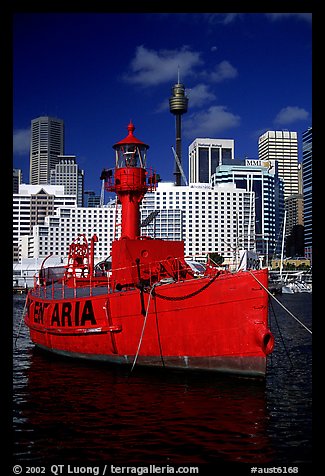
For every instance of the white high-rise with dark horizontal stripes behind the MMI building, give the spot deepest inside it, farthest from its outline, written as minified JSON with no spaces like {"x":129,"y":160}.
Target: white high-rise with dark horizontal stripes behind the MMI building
{"x":282,"y":146}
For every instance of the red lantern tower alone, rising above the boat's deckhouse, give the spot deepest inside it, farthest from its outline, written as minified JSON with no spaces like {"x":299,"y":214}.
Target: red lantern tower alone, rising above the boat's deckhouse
{"x":130,"y":181}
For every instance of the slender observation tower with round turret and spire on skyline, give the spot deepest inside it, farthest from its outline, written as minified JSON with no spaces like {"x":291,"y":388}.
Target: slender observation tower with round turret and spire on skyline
{"x":178,"y":106}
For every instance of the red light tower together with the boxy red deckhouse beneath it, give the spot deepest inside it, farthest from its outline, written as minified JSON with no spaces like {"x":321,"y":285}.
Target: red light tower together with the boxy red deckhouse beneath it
{"x":148,"y":257}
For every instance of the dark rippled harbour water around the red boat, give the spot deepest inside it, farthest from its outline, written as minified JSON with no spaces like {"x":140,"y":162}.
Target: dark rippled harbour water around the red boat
{"x":68,"y":411}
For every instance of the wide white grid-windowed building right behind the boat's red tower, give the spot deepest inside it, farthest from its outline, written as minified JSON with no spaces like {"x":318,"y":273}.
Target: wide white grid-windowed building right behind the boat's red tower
{"x":210,"y":219}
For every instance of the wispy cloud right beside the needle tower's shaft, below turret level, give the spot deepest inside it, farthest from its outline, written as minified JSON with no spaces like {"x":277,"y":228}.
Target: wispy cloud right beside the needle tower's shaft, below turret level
{"x":210,"y":123}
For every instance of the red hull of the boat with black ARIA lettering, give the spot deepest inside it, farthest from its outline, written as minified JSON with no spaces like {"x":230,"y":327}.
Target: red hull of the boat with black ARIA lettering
{"x":209,"y":323}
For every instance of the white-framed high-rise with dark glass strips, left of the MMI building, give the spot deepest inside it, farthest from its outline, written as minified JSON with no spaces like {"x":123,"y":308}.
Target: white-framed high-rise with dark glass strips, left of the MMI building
{"x":205,"y":155}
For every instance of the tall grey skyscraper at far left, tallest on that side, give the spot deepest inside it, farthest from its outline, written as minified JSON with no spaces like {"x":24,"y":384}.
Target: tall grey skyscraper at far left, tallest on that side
{"x":47,"y":142}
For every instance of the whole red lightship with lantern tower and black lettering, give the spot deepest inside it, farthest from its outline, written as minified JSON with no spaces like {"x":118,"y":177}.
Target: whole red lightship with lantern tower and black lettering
{"x":148,"y":307}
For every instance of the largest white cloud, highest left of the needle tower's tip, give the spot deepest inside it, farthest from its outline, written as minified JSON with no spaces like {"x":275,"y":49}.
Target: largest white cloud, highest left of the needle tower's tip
{"x":150,"y":67}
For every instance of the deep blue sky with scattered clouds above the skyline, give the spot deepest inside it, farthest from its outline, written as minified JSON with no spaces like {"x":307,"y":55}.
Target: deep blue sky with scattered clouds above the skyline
{"x":244,"y":73}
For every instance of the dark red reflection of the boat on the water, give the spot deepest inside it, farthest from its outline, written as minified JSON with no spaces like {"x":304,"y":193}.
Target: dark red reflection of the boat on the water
{"x":71,"y":411}
